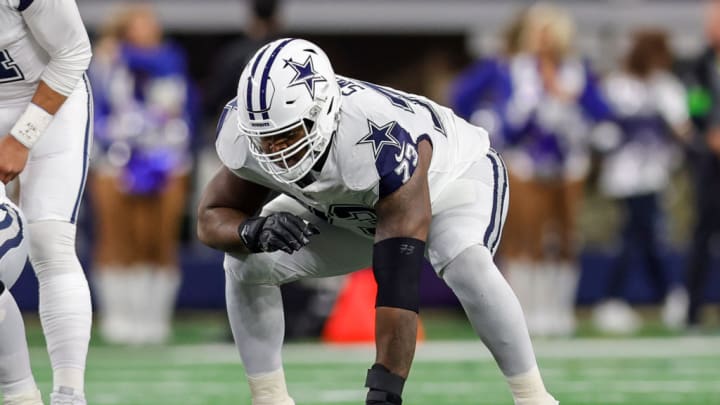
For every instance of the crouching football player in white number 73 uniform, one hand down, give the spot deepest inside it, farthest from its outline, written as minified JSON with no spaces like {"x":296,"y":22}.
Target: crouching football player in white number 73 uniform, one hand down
{"x":369,"y":176}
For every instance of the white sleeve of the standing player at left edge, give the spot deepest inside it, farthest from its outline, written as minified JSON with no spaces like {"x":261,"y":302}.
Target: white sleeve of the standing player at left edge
{"x":59,"y":30}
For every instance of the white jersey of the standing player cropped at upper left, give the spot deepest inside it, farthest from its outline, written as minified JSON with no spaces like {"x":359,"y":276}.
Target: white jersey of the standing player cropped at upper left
{"x":31,"y":32}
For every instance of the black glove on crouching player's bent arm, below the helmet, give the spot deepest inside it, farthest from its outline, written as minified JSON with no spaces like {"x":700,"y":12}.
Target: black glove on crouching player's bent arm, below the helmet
{"x":277,"y":231}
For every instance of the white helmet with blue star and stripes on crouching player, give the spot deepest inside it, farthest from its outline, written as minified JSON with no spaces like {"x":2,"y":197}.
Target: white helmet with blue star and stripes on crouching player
{"x":288,"y":107}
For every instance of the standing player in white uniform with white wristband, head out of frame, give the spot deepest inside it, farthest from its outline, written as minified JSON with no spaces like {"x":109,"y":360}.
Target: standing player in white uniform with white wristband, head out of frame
{"x":45,"y":129}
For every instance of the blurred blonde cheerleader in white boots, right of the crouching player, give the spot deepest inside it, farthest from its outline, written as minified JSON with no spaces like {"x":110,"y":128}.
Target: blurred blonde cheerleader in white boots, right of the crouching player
{"x":549,"y":116}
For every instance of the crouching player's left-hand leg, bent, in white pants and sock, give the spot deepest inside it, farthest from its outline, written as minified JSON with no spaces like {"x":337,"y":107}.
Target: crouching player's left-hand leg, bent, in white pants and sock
{"x":254,"y":302}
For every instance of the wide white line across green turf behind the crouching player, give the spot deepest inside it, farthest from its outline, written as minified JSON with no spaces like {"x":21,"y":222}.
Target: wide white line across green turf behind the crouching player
{"x":435,"y":351}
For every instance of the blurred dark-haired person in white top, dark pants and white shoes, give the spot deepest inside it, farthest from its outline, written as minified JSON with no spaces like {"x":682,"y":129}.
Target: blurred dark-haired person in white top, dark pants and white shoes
{"x":650,"y":106}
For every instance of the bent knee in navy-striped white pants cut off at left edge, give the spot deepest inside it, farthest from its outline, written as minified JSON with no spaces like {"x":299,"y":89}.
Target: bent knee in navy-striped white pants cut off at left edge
{"x":13,"y":244}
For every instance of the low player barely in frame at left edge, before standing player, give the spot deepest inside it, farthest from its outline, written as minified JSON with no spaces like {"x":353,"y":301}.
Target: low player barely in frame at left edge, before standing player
{"x":16,"y":381}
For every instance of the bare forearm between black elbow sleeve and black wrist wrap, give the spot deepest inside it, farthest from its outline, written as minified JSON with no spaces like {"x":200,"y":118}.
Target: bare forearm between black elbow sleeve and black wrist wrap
{"x":396,"y":335}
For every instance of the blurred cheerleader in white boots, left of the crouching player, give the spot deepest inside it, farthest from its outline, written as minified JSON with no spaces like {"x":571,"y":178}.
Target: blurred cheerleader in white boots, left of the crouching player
{"x":140,"y":175}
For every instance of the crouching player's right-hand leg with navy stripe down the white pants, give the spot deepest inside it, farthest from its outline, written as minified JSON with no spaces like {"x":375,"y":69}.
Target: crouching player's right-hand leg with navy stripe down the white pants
{"x":462,"y":241}
